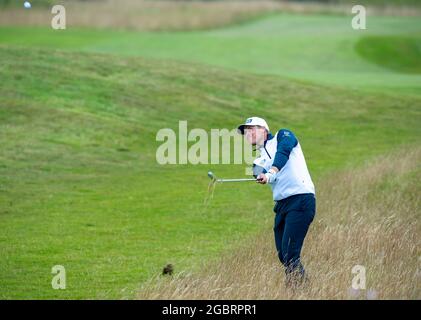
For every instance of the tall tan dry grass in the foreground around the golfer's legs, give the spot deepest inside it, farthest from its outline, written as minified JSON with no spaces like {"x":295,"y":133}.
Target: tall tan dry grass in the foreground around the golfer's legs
{"x":368,"y":216}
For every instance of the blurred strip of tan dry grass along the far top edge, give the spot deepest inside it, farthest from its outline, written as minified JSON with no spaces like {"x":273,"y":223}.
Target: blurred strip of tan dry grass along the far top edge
{"x":175,"y":15}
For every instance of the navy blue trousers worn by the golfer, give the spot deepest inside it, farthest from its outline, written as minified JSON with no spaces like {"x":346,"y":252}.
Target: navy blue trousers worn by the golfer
{"x":292,"y":220}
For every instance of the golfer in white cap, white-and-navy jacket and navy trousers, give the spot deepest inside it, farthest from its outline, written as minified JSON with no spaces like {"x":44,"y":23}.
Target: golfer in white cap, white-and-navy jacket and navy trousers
{"x":281,"y":164}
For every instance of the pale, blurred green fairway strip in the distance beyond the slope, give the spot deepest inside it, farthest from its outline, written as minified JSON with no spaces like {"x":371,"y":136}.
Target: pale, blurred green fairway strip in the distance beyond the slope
{"x":306,"y":47}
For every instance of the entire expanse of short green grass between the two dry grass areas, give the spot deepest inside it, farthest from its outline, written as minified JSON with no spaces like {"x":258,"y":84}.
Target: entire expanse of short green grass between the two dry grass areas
{"x":79,"y":183}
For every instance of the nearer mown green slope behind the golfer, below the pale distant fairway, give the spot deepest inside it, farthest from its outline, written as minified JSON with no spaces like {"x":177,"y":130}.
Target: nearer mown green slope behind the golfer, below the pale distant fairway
{"x":79,"y":183}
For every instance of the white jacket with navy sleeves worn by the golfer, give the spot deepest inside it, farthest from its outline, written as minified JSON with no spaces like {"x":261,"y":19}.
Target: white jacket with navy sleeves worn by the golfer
{"x":283,"y":151}
